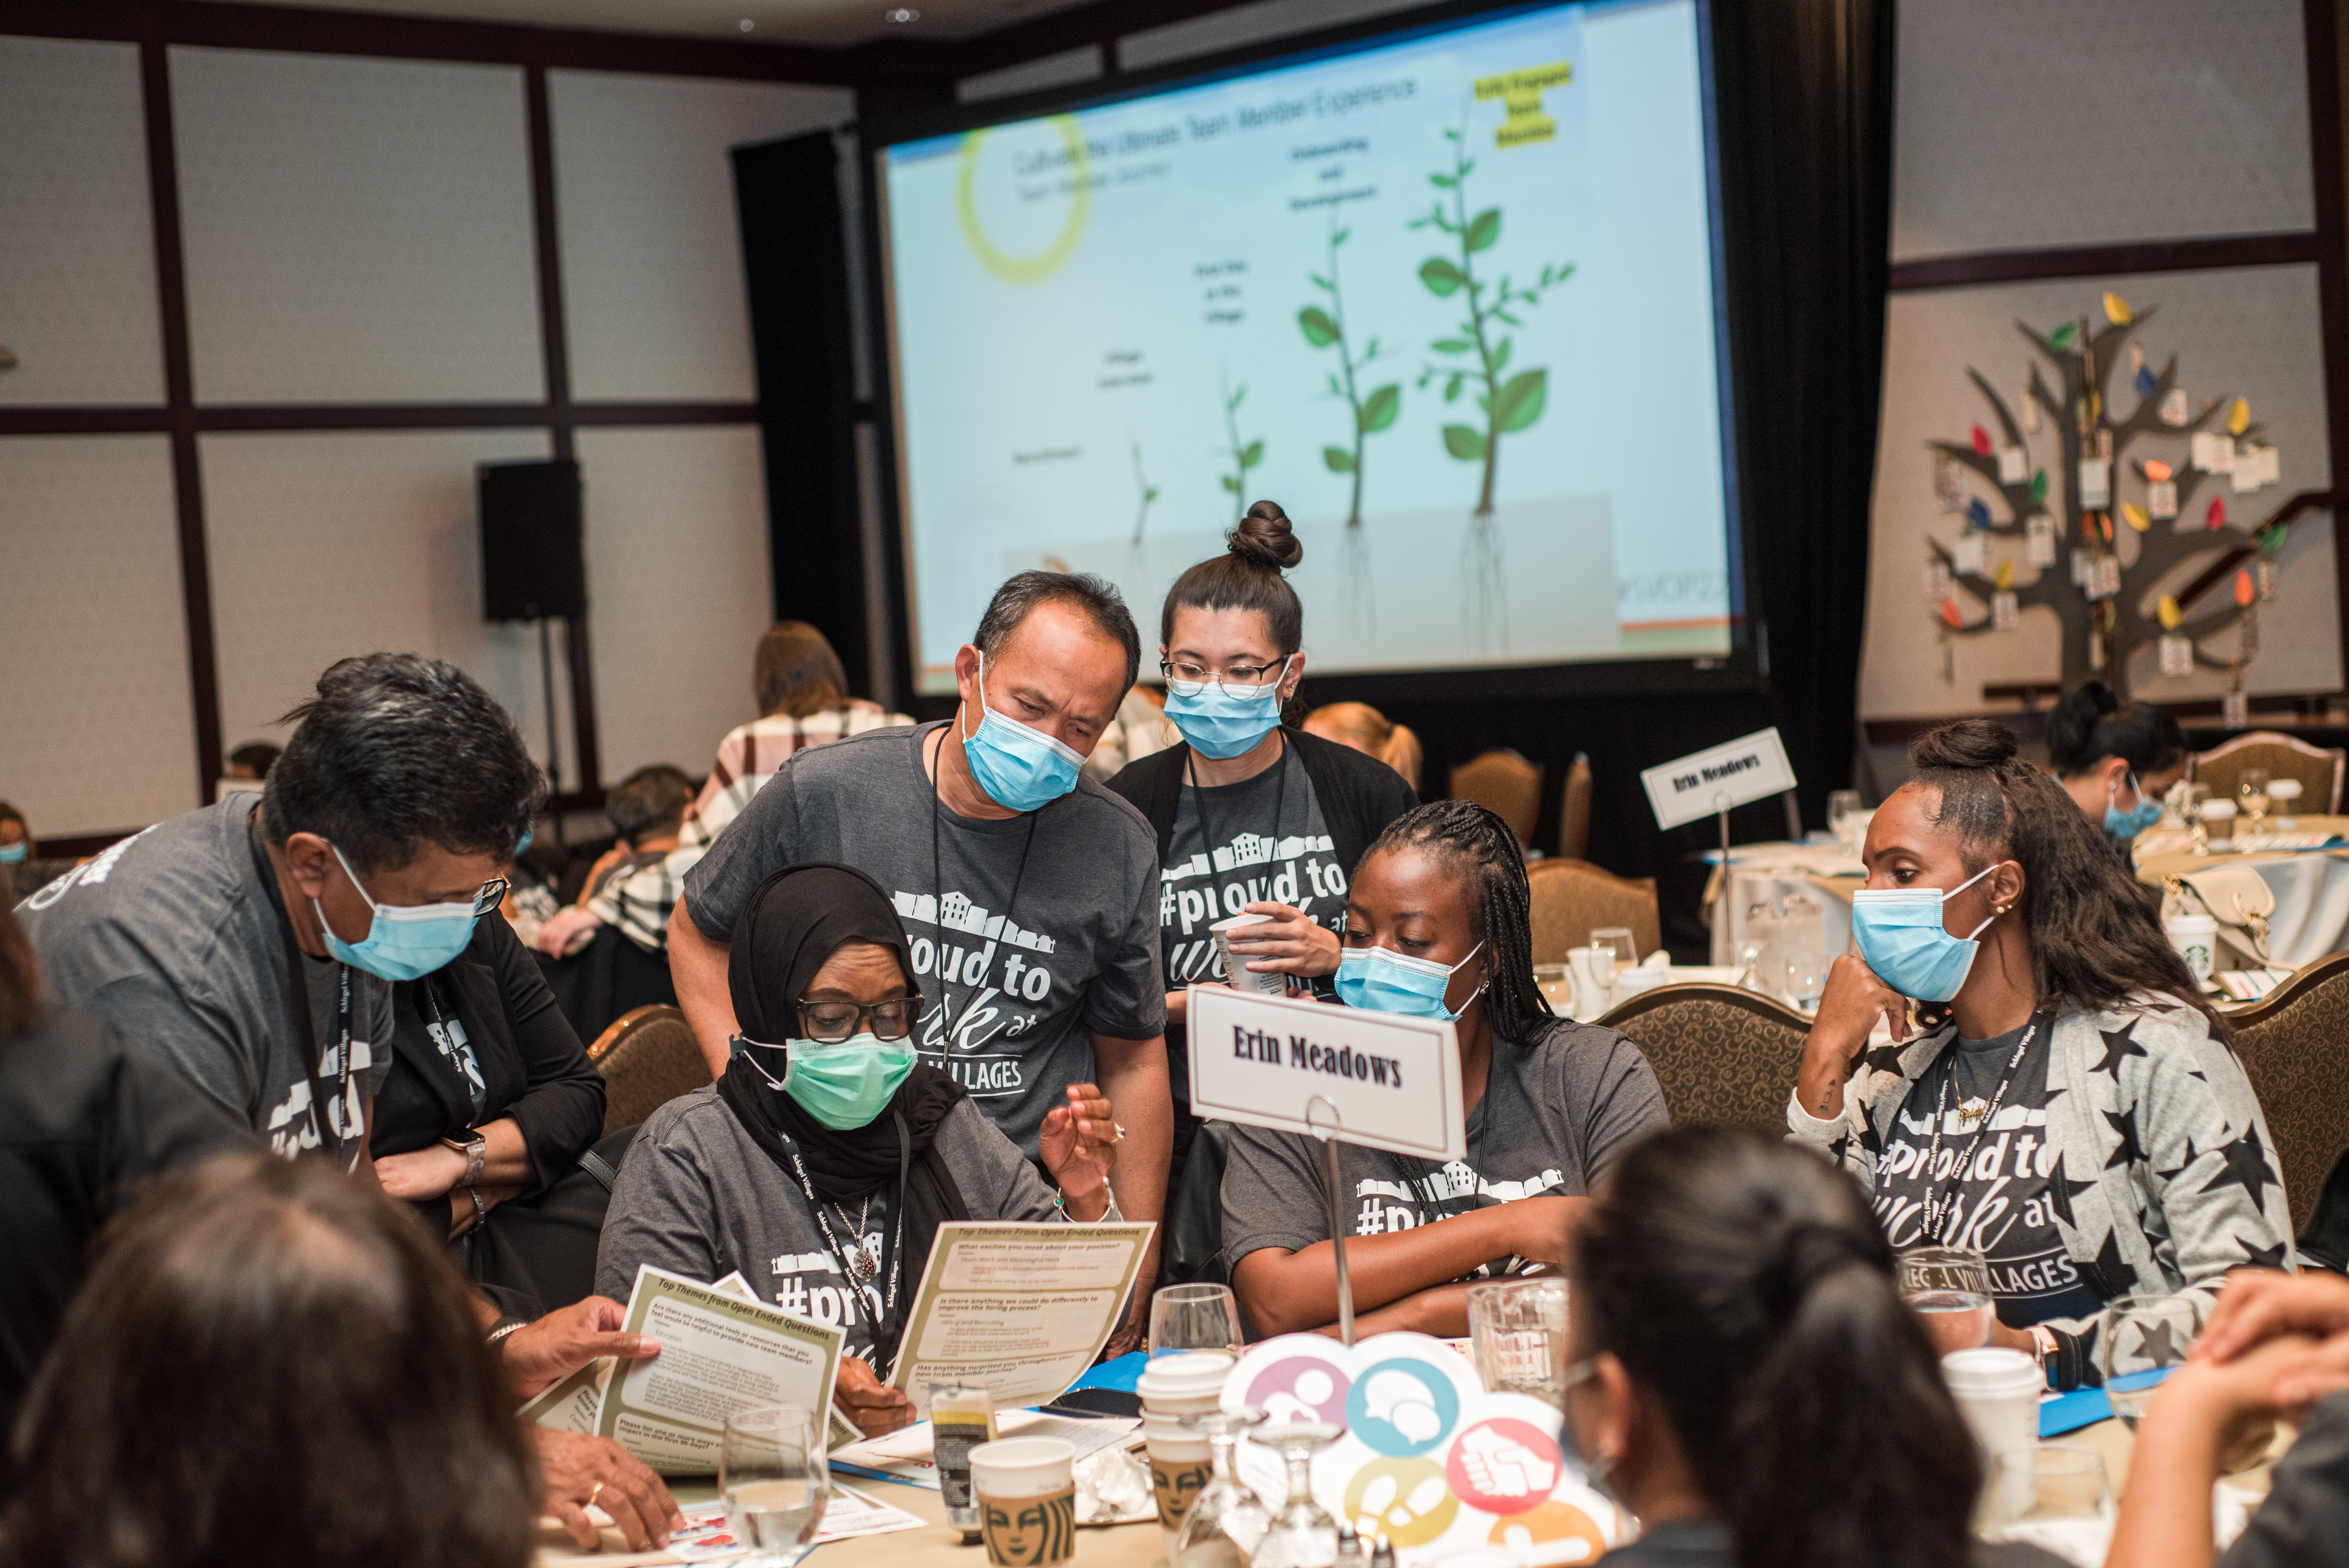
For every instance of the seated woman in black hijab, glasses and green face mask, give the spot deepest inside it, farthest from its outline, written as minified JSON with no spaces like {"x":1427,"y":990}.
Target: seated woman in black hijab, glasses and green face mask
{"x":823,"y":1163}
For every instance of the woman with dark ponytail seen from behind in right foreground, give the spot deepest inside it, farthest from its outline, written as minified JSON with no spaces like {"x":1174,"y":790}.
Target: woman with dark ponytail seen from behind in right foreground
{"x":1746,"y":1377}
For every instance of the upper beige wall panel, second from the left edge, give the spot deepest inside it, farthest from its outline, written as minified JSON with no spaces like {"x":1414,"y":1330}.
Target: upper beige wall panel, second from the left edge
{"x":358,"y":231}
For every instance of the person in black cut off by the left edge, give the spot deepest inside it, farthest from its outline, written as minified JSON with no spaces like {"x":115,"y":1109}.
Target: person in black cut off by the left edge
{"x":83,"y":1123}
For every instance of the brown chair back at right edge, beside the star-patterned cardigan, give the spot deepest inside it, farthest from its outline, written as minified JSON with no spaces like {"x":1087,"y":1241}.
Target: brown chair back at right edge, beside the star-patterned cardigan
{"x":2289,"y":1046}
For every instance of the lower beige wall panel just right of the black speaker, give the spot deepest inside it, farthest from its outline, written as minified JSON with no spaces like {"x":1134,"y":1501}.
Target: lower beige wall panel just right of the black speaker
{"x":678,"y":588}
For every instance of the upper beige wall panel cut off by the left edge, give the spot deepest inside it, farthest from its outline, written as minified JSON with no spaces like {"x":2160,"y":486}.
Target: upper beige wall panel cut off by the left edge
{"x":76,"y":241}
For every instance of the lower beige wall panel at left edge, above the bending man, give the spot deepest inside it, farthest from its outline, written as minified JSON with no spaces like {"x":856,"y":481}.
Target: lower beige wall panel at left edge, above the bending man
{"x":97,"y":729}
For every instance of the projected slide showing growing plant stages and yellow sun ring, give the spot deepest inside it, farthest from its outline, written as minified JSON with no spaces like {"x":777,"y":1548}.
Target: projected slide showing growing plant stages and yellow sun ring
{"x":1451,"y":299}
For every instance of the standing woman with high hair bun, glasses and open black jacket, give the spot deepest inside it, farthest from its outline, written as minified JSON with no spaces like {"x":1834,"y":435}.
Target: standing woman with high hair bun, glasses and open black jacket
{"x":1253,"y":818}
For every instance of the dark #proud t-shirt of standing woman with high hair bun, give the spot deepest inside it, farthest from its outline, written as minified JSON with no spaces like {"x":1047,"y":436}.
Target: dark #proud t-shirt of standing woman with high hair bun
{"x":1265,"y":839}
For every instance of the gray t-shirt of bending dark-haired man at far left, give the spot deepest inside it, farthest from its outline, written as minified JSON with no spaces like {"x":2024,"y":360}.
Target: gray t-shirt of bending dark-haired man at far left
{"x":177,"y":942}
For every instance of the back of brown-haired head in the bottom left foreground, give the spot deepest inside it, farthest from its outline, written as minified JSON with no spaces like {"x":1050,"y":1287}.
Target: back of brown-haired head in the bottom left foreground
{"x":271,"y":1365}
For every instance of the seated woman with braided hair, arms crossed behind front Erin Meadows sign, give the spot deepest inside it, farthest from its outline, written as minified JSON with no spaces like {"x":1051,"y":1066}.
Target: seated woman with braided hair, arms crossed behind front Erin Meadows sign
{"x":1439,"y":926}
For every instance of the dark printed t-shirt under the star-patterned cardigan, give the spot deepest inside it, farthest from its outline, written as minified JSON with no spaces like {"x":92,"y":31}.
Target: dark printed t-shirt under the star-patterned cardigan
{"x":2003,"y":1205}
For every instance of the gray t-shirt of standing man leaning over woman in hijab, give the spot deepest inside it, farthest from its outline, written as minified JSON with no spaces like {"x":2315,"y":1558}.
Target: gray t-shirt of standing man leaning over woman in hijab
{"x":1016,"y":985}
